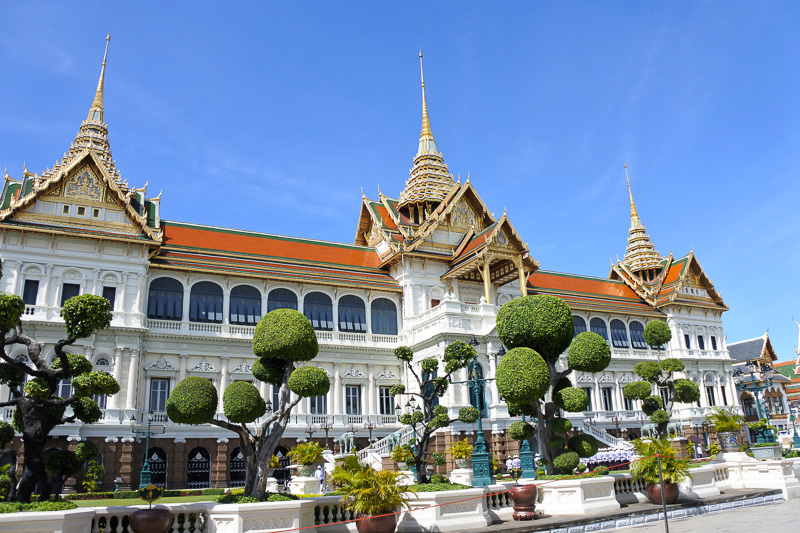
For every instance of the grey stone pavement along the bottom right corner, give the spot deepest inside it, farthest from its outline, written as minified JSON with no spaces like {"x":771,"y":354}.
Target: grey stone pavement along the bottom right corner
{"x":685,"y":515}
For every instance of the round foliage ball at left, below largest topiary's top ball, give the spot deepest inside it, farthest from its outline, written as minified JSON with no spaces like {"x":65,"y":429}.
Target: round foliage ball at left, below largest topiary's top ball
{"x":522,"y":376}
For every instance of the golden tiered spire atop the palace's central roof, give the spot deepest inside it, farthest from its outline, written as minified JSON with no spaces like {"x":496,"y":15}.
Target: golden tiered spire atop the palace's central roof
{"x":429,"y":179}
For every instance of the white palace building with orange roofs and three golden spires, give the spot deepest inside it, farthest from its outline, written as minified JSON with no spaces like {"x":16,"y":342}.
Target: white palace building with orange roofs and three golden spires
{"x":425,"y":269}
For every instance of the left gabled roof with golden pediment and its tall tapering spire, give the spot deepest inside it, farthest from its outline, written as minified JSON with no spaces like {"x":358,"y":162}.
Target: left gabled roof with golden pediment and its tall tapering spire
{"x":85,"y":175}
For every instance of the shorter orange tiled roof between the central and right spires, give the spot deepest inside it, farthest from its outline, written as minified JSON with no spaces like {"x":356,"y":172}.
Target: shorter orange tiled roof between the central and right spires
{"x":591,"y":294}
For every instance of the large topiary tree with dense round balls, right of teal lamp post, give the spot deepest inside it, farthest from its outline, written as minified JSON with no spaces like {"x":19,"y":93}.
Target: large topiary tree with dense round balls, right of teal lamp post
{"x":538,"y":329}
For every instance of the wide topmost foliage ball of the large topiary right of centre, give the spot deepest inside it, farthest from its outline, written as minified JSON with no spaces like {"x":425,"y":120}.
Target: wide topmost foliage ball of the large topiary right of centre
{"x":542,"y":323}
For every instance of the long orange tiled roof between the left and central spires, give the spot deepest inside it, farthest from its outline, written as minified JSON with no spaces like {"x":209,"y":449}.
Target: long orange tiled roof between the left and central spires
{"x":196,"y":248}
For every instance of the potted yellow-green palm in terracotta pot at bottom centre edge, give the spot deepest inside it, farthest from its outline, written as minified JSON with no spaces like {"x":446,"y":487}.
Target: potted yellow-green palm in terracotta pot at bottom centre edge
{"x":372,"y":496}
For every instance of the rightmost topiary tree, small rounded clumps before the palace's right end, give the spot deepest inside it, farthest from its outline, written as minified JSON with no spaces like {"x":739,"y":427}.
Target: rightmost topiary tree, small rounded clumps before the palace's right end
{"x":662,"y":375}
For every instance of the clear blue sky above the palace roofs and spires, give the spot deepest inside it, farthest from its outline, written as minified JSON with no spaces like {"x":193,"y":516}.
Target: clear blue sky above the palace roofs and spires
{"x":273,"y":116}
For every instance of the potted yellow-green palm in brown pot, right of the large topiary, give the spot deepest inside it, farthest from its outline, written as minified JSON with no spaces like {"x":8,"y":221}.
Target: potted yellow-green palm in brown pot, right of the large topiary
{"x":673,"y":468}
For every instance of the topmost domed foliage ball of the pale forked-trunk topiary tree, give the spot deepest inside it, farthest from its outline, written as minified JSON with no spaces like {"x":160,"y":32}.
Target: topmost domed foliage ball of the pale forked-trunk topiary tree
{"x":285,"y":334}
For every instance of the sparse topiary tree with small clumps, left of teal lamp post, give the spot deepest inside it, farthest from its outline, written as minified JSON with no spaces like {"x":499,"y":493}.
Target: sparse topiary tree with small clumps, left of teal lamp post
{"x":430,"y":386}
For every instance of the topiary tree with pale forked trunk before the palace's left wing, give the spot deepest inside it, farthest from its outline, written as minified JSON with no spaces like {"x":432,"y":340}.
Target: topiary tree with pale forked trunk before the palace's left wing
{"x":282,"y":339}
